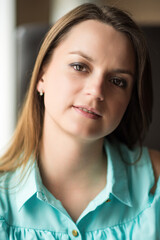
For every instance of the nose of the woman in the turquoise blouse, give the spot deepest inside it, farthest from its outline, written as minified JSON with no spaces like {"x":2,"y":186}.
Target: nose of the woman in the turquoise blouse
{"x":95,"y":88}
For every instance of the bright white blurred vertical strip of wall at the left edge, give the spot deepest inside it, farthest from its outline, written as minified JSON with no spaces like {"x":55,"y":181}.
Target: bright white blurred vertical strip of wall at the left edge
{"x":7,"y":71}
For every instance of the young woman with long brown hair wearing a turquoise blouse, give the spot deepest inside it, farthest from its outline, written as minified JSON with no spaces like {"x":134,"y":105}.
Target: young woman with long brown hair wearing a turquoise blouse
{"x":76,"y":168}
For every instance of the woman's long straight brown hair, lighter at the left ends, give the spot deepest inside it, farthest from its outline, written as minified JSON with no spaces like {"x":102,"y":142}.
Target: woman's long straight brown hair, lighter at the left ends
{"x":137,"y":118}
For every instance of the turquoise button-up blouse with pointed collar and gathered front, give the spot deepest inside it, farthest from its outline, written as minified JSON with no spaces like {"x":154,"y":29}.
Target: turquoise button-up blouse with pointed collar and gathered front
{"x":125,"y":209}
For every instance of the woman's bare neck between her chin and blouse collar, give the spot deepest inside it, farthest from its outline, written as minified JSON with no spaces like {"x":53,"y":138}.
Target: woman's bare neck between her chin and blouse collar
{"x":65,"y":159}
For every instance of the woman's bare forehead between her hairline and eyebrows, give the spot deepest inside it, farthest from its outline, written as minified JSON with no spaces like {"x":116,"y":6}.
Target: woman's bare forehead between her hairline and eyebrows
{"x":95,"y":33}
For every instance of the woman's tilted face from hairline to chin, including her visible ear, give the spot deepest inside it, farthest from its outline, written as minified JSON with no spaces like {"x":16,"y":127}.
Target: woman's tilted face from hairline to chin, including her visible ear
{"x":88,"y":83}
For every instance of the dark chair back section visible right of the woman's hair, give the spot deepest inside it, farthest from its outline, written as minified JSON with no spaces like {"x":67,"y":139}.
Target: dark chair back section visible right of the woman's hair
{"x":152,"y":34}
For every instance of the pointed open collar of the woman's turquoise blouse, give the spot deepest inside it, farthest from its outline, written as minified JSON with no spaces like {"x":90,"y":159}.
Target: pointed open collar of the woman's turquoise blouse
{"x":116,"y":182}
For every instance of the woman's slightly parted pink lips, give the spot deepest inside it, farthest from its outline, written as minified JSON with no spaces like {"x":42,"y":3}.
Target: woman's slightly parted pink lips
{"x":88,"y":112}
